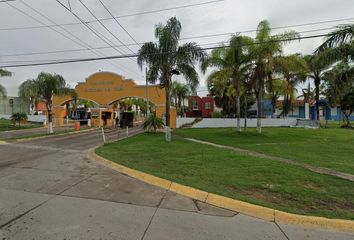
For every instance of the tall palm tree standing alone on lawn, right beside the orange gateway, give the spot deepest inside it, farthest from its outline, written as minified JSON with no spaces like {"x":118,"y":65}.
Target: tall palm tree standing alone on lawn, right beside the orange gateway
{"x":166,"y":58}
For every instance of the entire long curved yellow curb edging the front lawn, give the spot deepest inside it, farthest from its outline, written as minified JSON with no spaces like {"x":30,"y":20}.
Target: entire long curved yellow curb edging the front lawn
{"x":249,"y":209}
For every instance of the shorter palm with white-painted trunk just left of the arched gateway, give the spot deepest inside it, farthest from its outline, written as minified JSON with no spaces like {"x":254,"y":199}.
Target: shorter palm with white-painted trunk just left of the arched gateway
{"x":49,"y":85}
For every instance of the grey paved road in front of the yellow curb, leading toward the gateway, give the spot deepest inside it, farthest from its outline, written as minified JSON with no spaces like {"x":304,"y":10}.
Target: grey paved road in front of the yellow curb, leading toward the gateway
{"x":49,"y":189}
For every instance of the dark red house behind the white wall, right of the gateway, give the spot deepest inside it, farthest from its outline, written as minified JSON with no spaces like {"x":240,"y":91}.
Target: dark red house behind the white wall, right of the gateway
{"x":200,"y":106}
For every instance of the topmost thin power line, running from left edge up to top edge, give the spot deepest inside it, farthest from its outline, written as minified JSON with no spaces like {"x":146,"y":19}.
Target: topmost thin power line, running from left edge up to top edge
{"x":121,"y":16}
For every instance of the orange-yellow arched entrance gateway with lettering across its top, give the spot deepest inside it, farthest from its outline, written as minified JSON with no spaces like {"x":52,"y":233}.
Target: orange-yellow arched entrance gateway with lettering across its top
{"x":105,"y":88}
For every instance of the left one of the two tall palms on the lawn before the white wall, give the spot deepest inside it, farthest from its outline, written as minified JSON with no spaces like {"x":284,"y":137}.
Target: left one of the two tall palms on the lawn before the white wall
{"x":234,"y":62}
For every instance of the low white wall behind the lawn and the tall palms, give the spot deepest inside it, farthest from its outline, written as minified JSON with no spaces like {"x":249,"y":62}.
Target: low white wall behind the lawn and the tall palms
{"x":231,"y":122}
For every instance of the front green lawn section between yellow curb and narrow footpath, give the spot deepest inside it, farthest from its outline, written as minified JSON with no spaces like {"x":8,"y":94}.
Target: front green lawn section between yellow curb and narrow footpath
{"x":260,"y":181}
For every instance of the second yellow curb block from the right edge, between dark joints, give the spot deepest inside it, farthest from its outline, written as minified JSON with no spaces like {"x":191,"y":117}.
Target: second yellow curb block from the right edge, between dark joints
{"x":241,"y":207}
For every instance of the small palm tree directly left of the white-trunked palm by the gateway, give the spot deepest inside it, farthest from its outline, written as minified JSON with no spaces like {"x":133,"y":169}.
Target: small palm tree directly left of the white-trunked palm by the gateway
{"x":28,"y":91}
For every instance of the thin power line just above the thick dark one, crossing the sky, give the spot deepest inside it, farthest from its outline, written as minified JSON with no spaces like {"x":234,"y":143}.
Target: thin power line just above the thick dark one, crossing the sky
{"x":133,"y":44}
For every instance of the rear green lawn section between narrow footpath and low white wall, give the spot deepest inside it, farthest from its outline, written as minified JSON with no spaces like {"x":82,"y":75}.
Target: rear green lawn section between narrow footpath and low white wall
{"x":325,"y":147}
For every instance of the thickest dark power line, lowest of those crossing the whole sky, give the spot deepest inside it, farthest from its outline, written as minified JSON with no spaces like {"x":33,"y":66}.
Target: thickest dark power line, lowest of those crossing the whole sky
{"x":136,"y":55}
